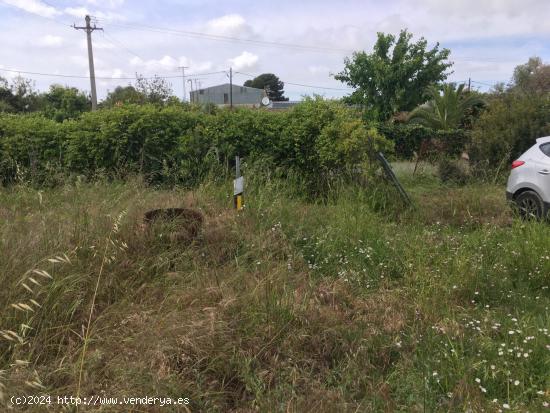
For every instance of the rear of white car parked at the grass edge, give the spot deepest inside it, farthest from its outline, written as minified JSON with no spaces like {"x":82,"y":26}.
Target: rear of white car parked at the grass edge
{"x":529,"y":182}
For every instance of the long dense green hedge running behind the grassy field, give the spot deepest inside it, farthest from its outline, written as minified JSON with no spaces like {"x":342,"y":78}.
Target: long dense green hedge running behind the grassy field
{"x":315,"y":139}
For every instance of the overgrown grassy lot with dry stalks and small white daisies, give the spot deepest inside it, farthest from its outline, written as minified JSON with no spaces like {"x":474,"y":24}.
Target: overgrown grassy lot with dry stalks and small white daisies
{"x":350,"y":305}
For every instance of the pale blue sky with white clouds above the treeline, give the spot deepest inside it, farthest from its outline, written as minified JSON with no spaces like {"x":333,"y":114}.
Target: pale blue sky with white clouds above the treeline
{"x":303,"y":42}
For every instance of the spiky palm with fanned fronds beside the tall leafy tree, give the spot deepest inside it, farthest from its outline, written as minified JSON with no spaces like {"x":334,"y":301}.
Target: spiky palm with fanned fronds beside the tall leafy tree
{"x":446,"y":109}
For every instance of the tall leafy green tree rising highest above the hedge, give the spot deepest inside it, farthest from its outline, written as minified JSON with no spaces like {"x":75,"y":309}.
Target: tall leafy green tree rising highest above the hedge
{"x":395,"y":75}
